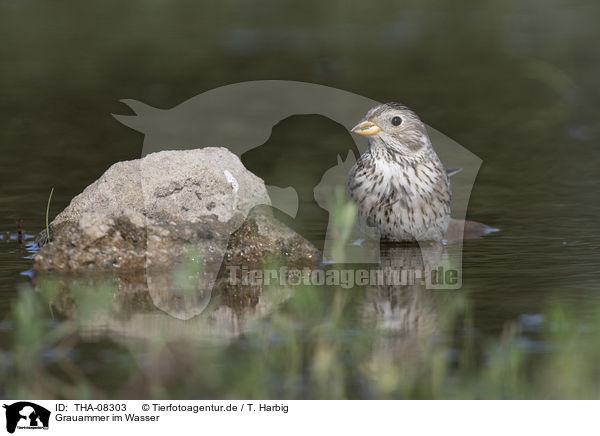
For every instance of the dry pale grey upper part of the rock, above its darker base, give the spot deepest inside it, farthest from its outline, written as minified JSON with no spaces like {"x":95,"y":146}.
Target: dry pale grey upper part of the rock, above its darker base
{"x":174,"y":185}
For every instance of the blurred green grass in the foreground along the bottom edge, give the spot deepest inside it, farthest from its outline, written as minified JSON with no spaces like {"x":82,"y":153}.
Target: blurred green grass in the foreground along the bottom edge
{"x":310,"y":347}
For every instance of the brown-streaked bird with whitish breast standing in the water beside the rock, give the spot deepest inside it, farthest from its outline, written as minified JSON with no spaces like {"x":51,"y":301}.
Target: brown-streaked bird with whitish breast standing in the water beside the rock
{"x":399,"y":184}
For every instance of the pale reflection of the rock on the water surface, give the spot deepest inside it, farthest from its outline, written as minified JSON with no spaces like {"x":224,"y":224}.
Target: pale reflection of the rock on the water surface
{"x":134,"y":308}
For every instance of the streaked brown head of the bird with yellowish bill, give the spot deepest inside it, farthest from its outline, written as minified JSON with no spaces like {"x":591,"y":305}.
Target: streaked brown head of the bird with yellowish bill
{"x":396,"y":127}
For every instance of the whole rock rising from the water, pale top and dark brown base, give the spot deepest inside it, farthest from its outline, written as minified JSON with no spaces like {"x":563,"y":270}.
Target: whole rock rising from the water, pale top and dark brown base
{"x":151,"y":213}
